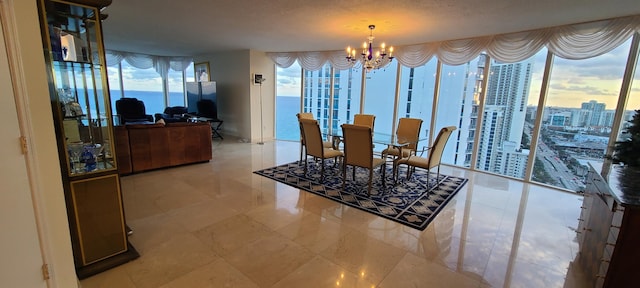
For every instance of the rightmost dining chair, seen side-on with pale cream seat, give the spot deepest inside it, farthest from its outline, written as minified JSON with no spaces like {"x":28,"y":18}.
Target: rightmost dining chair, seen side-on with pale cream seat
{"x":432,"y":160}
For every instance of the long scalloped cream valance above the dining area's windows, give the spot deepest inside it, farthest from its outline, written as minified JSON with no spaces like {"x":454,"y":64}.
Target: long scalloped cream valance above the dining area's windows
{"x":577,"y":41}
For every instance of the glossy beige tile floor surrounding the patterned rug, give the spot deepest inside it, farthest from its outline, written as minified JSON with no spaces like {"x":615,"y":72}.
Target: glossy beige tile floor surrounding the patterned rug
{"x":217,"y":224}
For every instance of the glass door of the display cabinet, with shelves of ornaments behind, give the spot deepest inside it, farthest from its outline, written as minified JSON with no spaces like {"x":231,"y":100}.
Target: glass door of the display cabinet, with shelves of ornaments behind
{"x":81,"y":91}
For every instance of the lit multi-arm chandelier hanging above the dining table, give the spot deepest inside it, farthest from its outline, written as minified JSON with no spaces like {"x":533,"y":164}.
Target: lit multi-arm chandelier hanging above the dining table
{"x":370,"y":61}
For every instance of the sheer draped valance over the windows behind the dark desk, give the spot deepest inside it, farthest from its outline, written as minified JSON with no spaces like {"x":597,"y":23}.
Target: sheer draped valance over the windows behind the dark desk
{"x":142,"y":61}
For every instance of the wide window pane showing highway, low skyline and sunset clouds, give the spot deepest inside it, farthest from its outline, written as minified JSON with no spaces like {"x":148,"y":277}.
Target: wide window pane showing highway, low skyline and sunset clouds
{"x":578,"y":117}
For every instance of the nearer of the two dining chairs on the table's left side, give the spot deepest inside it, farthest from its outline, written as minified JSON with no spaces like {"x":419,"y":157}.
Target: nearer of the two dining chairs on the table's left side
{"x":313,"y":145}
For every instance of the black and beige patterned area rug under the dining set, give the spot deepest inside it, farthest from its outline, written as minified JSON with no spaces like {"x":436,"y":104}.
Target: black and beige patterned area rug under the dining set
{"x":414,"y":202}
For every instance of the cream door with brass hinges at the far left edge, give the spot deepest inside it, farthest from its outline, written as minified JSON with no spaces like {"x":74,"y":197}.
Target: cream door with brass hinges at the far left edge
{"x":18,"y":268}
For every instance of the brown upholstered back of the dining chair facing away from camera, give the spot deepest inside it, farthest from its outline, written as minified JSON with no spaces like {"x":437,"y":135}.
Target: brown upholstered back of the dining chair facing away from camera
{"x":358,"y":145}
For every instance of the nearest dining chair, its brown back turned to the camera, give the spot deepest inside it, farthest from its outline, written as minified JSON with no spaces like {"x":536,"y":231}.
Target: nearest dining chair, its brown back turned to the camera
{"x":358,"y":152}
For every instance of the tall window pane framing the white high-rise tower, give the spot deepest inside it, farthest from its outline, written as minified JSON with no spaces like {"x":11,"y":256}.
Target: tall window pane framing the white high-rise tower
{"x":506,"y":126}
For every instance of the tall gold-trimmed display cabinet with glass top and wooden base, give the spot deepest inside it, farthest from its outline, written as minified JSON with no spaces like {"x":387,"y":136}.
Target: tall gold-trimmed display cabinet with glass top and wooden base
{"x":80,"y":101}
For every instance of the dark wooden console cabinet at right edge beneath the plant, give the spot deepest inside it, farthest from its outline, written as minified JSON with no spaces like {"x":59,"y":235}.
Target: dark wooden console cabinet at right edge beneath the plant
{"x":608,"y":233}
